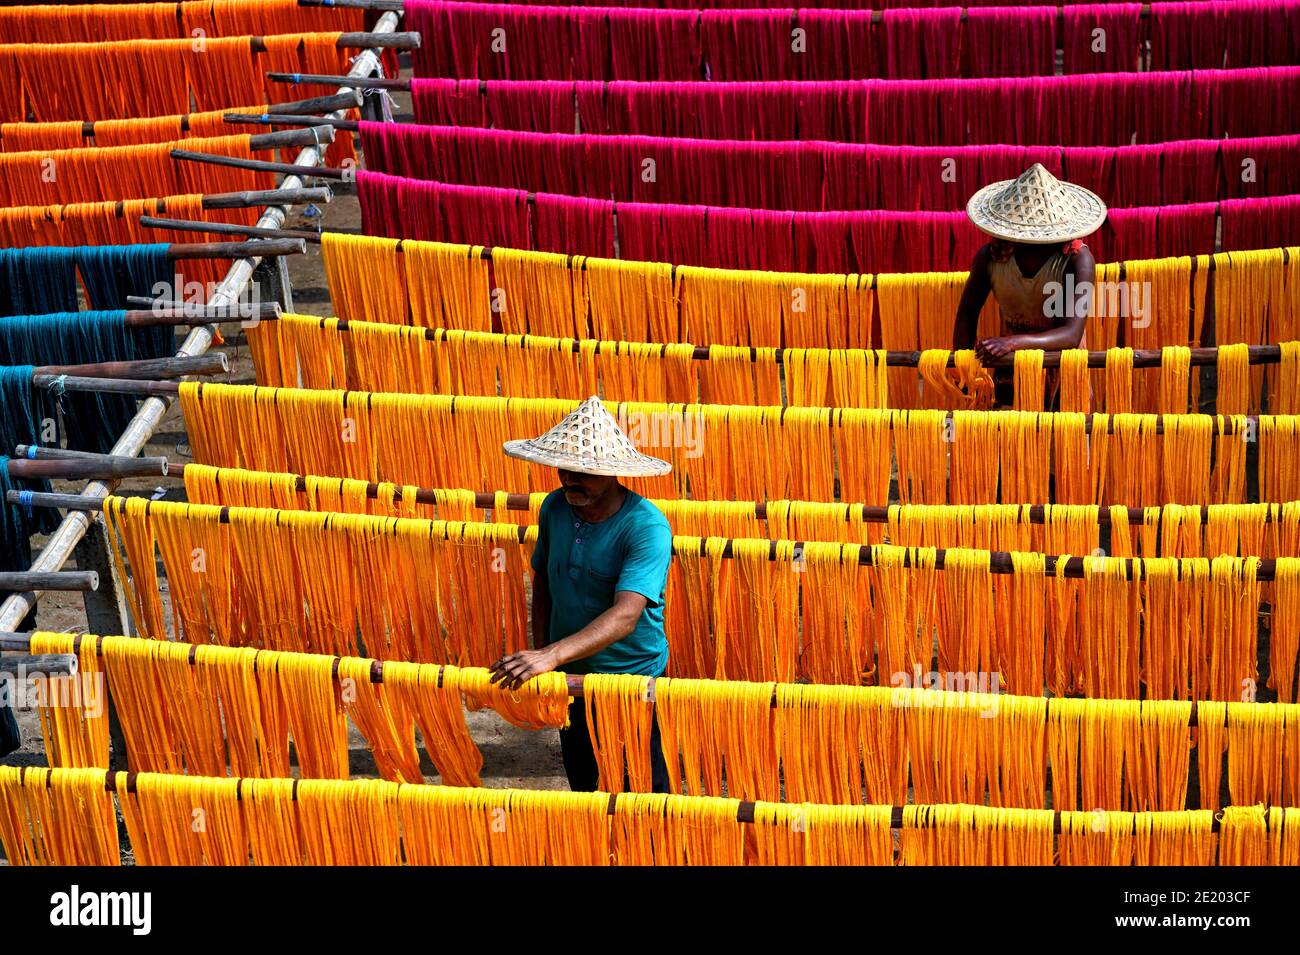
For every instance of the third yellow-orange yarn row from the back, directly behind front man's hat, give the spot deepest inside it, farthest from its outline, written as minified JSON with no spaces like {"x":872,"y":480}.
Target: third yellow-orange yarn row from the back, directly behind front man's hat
{"x":743,"y":453}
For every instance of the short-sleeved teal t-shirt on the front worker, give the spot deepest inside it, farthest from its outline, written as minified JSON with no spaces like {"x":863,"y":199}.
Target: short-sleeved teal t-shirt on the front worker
{"x":586,"y":565}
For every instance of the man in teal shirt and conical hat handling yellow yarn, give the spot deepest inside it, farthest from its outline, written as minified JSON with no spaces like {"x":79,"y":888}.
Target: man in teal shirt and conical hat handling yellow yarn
{"x":600,"y":572}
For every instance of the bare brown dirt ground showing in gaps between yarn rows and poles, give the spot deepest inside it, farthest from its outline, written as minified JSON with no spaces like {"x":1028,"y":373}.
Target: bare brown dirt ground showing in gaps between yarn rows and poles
{"x":512,"y":757}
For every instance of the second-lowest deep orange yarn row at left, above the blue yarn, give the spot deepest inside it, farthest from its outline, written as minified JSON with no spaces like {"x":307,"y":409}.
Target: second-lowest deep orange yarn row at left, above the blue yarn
{"x":124,"y":172}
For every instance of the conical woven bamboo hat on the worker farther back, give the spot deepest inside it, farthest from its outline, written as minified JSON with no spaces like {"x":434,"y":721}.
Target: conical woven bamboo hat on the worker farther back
{"x":1037,"y":209}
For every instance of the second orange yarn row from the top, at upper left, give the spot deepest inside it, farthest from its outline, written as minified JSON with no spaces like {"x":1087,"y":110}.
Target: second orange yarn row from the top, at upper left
{"x":141,"y":79}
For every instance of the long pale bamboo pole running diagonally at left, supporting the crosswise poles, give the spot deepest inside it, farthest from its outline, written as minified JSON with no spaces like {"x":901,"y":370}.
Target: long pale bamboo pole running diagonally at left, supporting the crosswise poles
{"x":60,"y":545}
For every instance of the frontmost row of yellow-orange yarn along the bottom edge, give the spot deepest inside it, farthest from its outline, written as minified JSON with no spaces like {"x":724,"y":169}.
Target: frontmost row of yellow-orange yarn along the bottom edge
{"x":378,"y":823}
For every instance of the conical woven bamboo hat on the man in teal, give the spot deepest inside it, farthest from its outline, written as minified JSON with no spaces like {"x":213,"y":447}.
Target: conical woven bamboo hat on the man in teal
{"x":591,"y":442}
